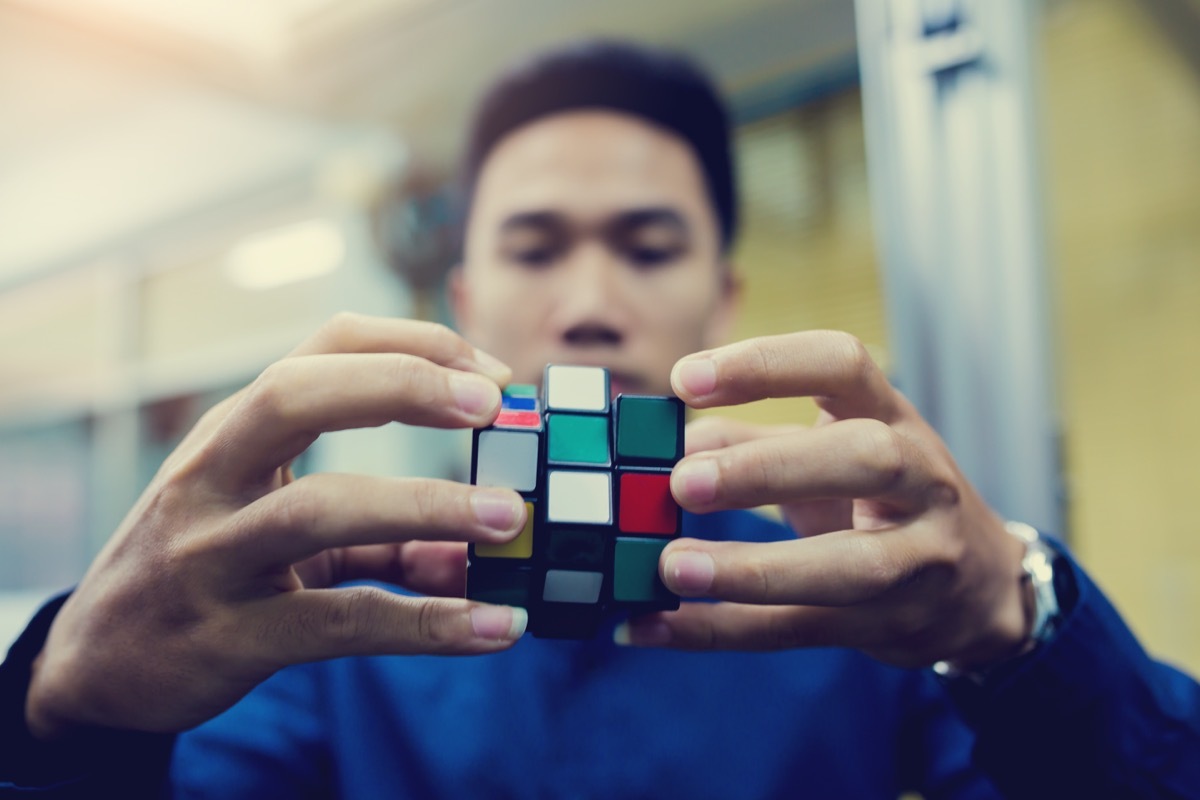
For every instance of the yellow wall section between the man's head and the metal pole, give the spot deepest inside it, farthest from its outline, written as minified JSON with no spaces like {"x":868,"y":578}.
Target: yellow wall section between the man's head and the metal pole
{"x":807,"y":255}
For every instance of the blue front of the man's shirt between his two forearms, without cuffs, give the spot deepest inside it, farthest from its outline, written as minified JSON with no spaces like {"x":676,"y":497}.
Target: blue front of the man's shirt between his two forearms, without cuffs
{"x":553,"y":719}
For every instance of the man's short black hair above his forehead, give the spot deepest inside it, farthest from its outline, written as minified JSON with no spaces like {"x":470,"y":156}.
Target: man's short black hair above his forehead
{"x":663,"y":88}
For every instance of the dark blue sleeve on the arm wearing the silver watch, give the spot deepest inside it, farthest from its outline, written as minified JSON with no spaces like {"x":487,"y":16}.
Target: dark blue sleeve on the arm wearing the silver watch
{"x":1088,"y":715}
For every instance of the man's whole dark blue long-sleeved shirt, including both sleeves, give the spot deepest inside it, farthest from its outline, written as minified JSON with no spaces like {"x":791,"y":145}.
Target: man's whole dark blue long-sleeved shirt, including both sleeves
{"x":1088,"y":715}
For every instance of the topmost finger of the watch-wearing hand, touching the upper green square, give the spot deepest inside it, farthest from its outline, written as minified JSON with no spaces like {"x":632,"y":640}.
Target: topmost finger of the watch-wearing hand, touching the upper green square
{"x":831,"y":366}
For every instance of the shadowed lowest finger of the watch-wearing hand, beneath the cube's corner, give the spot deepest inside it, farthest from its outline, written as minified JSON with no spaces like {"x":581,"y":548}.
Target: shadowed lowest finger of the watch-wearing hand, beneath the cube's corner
{"x":735,"y":627}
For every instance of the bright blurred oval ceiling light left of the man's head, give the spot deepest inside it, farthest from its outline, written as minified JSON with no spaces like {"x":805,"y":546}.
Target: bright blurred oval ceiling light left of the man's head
{"x":281,"y":256}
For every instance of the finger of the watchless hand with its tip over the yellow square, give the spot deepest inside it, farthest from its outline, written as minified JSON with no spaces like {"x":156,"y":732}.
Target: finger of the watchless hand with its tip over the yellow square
{"x":323,"y":512}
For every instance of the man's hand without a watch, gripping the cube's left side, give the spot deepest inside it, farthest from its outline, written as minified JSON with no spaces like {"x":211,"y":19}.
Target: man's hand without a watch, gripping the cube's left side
{"x":223,"y":573}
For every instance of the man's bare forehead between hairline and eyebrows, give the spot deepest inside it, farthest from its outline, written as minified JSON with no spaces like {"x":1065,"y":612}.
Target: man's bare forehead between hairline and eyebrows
{"x":587,"y":165}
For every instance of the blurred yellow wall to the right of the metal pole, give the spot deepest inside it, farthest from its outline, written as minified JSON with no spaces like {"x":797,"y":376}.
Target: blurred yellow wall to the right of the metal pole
{"x":1123,"y":153}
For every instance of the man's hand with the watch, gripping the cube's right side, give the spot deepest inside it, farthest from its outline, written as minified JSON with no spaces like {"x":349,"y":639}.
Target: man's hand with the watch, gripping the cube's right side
{"x":897,"y":554}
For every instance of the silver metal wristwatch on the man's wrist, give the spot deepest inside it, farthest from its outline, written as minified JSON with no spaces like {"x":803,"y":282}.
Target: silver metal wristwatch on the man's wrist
{"x":1054,"y":596}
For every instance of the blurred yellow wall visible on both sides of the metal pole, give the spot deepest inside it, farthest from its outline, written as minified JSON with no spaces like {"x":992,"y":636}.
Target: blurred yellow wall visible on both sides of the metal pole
{"x":1121,"y":134}
